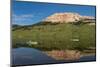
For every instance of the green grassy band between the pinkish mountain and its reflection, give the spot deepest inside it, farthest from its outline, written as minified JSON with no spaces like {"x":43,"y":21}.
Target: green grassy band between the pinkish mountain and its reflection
{"x":59,"y":36}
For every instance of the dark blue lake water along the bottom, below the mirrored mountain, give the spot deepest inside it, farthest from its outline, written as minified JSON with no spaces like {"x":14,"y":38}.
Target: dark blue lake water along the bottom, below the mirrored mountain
{"x":30,"y":56}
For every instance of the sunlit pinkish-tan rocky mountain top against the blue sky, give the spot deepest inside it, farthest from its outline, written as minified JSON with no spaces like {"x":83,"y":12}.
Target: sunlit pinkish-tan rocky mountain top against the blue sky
{"x":66,"y":18}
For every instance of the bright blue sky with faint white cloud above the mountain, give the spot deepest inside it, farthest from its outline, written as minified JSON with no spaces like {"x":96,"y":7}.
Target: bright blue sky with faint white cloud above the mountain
{"x":26,"y":13}
